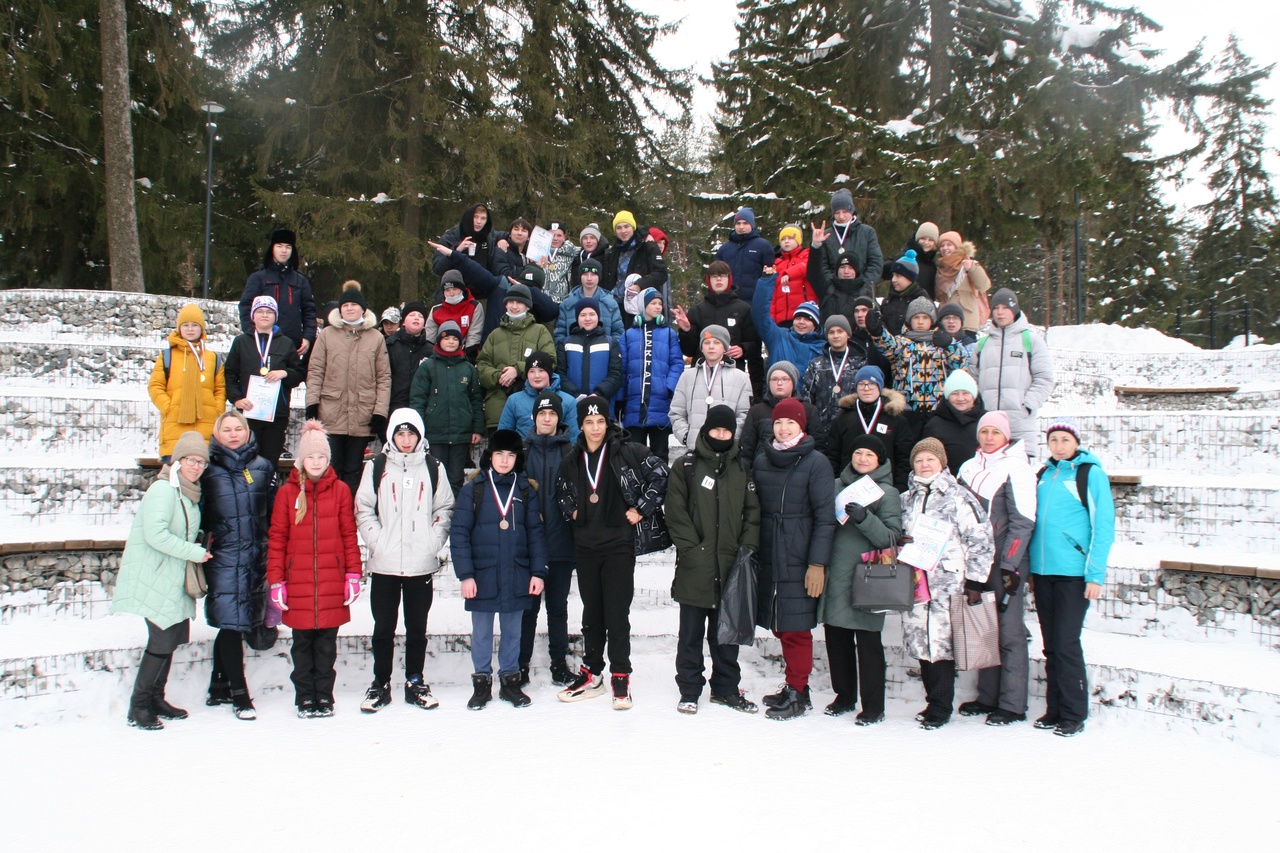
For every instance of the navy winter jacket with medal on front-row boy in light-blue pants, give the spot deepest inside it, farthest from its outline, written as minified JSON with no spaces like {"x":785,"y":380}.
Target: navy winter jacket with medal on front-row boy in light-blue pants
{"x":500,"y":562}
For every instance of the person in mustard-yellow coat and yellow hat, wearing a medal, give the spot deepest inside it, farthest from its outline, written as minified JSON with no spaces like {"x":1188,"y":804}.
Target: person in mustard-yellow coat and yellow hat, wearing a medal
{"x":194,"y":393}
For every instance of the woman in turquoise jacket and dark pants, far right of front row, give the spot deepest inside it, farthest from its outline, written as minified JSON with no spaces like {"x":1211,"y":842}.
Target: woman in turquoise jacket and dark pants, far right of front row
{"x":1075,"y":531}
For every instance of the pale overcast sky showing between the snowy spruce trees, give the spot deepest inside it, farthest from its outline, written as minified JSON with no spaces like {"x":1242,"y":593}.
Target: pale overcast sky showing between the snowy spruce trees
{"x":708,"y":34}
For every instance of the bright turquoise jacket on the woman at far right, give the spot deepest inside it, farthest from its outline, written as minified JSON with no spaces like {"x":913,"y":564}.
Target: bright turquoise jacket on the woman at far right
{"x":1071,"y":540}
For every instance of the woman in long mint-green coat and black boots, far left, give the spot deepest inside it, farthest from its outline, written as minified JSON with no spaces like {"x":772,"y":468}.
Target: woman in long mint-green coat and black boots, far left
{"x":154,"y":574}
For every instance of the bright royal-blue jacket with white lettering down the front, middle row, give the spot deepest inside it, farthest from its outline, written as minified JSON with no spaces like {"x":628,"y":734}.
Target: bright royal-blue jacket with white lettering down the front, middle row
{"x":653,"y":363}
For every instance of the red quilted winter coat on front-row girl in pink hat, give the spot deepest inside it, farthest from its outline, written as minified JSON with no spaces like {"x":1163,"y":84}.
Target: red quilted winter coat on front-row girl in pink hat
{"x":316,"y":555}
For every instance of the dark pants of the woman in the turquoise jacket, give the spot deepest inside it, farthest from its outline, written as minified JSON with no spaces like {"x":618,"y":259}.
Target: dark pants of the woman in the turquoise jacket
{"x":1060,"y":605}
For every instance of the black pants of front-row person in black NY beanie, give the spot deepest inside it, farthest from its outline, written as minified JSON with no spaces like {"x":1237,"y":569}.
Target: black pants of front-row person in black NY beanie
{"x":606,"y":583}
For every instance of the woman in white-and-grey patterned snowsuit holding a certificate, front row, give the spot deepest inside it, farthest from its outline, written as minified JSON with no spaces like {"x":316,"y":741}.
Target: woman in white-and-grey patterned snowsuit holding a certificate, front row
{"x":953,"y":544}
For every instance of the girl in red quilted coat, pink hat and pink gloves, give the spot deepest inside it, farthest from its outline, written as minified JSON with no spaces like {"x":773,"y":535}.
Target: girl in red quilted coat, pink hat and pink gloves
{"x":314,"y":562}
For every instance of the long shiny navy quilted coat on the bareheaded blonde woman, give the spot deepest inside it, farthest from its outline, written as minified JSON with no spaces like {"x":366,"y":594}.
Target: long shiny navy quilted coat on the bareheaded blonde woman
{"x":236,"y":507}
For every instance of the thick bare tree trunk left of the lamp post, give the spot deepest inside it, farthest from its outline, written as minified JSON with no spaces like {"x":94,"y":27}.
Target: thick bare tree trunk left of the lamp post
{"x":124,"y":253}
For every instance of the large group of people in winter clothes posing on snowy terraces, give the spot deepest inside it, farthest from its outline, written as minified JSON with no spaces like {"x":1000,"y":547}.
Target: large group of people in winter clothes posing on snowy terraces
{"x":569,"y":378}
